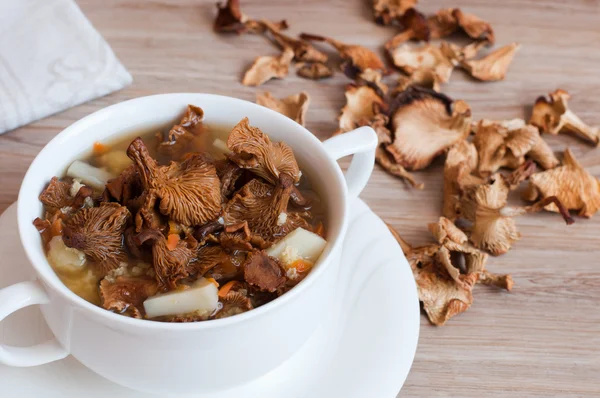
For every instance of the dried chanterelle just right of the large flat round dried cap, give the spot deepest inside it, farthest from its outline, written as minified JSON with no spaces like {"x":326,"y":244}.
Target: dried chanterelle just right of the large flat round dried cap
{"x":506,"y":144}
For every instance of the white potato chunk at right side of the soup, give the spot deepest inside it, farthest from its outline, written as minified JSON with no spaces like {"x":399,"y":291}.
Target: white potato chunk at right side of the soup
{"x":304,"y":244}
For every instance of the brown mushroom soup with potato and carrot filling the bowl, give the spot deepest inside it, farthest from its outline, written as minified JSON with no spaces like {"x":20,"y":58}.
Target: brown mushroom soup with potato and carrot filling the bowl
{"x":190,"y":224}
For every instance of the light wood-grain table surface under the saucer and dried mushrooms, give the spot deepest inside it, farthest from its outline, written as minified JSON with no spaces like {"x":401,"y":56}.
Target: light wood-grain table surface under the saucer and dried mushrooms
{"x":542,"y":339}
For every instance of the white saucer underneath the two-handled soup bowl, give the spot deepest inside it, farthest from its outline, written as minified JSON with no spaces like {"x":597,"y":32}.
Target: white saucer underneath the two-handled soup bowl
{"x":365,"y":350}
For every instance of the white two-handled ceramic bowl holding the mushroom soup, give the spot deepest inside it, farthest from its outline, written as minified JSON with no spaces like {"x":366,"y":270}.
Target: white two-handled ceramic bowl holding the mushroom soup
{"x":179,"y":358}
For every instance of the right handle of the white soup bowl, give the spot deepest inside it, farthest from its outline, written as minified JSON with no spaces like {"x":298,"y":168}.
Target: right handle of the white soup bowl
{"x":361,"y":143}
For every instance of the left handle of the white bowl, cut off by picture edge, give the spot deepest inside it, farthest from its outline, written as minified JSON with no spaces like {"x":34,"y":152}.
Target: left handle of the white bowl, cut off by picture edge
{"x":12,"y":299}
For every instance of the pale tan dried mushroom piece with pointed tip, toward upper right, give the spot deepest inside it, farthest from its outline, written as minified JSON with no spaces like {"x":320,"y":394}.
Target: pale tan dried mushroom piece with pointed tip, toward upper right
{"x":493,"y":66}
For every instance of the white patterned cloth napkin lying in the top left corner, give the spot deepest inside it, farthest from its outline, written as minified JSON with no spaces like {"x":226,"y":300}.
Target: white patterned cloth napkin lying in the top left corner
{"x":51,"y":59}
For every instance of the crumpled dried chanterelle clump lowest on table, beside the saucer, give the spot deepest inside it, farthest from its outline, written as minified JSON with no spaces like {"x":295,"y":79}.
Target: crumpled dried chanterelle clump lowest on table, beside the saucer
{"x":443,"y":283}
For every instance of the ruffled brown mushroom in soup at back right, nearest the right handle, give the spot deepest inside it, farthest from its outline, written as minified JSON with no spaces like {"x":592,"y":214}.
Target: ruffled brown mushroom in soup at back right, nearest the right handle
{"x":254,"y":151}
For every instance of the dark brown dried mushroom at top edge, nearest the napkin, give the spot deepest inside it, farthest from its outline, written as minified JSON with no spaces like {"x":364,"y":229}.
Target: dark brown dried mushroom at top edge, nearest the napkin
{"x":231,"y":19}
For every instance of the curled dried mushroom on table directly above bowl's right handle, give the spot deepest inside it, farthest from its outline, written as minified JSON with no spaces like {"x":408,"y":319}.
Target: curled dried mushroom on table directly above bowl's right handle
{"x":362,"y":103}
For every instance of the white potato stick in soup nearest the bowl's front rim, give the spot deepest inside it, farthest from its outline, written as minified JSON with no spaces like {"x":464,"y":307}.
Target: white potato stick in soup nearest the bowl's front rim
{"x":201,"y":297}
